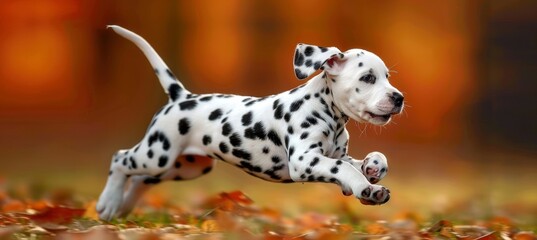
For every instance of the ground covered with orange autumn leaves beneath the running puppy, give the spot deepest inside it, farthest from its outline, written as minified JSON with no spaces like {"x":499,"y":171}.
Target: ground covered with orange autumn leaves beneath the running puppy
{"x":228,"y":215}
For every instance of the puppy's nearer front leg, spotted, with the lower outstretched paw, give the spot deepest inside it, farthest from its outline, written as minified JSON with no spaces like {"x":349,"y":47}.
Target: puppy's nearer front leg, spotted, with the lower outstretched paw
{"x":312,"y":166}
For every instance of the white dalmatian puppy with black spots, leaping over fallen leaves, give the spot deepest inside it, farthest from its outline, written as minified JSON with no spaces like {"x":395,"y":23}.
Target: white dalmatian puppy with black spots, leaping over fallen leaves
{"x":295,"y":136}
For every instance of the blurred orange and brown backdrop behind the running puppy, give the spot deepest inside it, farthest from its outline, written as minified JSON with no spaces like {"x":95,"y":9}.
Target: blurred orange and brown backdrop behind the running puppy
{"x":72,"y":92}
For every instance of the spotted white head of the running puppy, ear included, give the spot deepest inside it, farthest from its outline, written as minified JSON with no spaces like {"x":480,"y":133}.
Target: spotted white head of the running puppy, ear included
{"x":358,"y":80}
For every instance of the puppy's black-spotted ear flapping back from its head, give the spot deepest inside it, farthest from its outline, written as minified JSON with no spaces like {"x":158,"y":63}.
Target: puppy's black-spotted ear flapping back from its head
{"x":310,"y":58}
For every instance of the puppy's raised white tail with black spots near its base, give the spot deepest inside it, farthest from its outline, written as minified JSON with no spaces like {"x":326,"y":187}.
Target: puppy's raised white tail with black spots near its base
{"x":169,"y":82}
